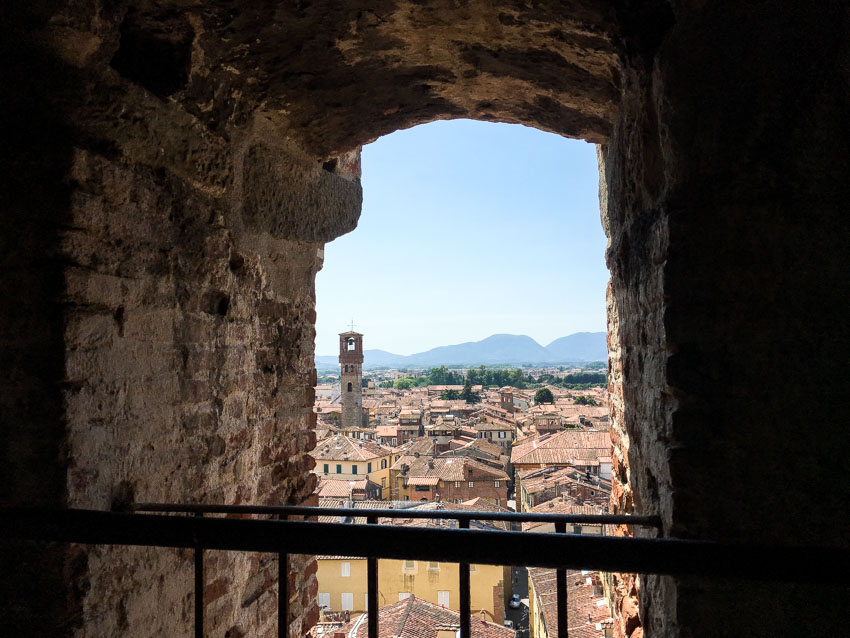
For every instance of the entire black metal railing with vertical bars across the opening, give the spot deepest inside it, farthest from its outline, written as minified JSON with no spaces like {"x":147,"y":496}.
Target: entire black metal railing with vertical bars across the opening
{"x":202,"y":531}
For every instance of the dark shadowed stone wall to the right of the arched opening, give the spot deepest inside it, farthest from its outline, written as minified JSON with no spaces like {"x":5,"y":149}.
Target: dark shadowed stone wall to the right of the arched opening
{"x":726,"y":246}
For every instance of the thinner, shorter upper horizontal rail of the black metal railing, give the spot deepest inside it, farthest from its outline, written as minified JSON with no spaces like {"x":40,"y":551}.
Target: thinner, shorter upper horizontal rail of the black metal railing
{"x":462,"y":515}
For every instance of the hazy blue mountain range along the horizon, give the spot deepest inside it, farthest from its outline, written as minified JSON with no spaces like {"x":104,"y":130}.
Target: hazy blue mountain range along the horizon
{"x":496,"y":349}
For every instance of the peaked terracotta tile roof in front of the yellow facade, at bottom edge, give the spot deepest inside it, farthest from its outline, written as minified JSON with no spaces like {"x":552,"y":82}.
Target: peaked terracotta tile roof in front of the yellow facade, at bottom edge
{"x":417,"y":618}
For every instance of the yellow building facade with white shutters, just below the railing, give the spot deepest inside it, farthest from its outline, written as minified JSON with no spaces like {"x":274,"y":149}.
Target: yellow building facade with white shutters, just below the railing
{"x":342,"y":585}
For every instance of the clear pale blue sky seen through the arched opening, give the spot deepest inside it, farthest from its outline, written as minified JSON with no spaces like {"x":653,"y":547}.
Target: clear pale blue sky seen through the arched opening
{"x":468,"y":229}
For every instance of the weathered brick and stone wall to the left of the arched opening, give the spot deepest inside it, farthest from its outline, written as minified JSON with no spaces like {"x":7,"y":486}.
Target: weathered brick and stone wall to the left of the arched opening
{"x":162,"y":349}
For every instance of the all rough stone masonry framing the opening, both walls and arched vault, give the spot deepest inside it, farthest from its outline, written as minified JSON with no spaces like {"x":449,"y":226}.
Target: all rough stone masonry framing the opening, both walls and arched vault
{"x":172,"y":170}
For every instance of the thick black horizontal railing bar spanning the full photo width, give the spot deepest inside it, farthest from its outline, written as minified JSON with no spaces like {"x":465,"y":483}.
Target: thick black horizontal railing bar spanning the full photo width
{"x":568,"y":551}
